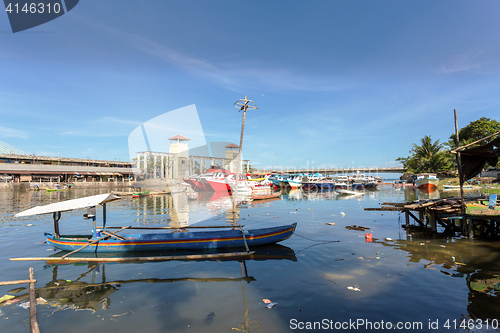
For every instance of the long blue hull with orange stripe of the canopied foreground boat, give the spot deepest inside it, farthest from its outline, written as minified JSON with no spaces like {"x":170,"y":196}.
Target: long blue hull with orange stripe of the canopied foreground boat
{"x":176,"y":240}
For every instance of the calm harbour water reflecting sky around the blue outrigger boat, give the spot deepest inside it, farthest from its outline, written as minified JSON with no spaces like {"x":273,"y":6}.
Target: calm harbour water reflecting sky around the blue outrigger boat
{"x":313,"y":276}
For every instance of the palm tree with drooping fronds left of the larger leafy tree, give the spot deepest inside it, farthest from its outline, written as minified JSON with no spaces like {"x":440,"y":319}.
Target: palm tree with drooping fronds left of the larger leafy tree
{"x":427,"y":157}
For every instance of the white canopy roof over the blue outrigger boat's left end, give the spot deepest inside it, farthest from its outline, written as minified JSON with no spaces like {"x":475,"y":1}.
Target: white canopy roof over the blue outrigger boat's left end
{"x":62,"y":206}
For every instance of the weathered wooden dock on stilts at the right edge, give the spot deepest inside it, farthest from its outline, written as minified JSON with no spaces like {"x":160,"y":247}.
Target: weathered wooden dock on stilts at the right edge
{"x":449,"y":214}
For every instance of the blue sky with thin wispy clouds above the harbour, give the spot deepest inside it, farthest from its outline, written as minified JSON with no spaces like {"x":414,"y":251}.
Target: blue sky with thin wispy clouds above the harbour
{"x":337,"y":83}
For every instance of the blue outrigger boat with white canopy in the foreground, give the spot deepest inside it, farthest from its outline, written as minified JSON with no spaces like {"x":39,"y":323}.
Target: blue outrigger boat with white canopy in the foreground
{"x":103,"y":240}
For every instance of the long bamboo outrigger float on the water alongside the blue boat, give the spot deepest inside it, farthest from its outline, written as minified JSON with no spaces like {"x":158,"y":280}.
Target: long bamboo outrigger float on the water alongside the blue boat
{"x":126,"y":259}
